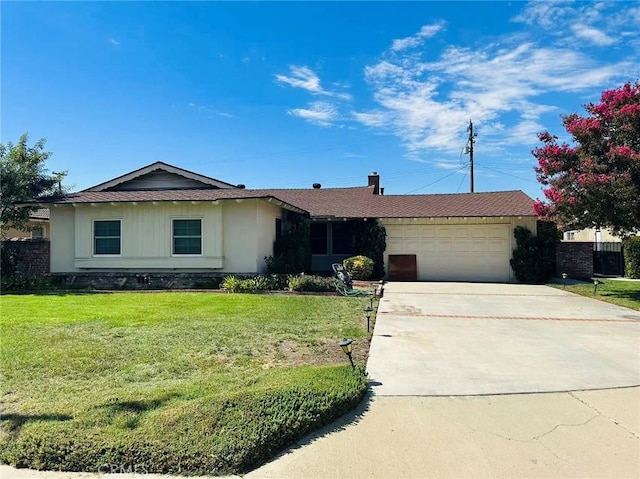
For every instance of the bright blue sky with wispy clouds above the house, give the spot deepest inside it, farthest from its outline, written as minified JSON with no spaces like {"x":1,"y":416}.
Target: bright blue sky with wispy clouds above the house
{"x":287,"y":94}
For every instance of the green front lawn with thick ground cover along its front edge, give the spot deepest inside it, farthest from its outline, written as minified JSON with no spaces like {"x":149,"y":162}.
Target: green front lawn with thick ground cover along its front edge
{"x":191,"y":383}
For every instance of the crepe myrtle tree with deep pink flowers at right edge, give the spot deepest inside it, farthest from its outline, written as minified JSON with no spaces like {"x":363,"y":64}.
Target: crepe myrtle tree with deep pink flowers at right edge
{"x":596,"y":181}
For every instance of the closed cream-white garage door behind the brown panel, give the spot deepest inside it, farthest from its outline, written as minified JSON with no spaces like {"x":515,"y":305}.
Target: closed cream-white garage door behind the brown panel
{"x":454,"y":252}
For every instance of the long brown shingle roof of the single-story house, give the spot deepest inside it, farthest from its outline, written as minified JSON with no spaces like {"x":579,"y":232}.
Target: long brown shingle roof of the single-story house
{"x":336,"y":202}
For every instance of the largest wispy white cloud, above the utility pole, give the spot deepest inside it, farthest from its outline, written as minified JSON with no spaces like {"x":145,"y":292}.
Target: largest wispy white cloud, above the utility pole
{"x":428,"y":104}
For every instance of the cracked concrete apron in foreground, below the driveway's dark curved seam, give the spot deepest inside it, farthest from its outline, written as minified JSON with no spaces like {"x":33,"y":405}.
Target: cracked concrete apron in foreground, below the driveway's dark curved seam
{"x":593,"y":434}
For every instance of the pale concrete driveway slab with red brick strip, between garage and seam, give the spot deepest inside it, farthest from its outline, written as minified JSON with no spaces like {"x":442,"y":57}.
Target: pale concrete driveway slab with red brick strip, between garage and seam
{"x":452,"y":339}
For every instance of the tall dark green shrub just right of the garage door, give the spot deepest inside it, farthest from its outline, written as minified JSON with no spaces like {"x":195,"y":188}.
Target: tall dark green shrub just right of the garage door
{"x":533,"y":259}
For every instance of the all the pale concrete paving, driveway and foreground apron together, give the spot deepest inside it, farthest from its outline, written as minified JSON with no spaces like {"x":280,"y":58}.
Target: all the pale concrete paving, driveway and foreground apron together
{"x":445,"y":361}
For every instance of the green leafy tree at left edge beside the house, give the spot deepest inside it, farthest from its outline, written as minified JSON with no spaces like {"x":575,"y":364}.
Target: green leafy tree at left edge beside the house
{"x":23,"y":177}
